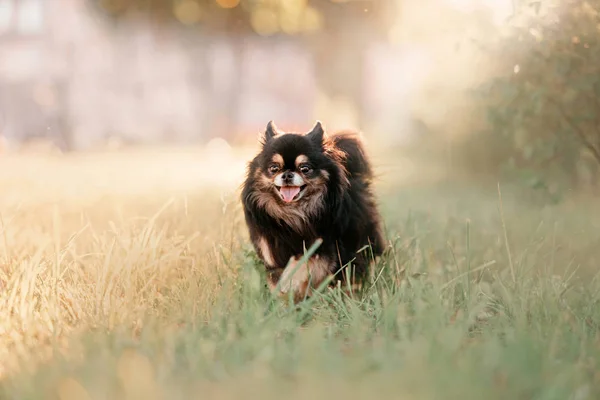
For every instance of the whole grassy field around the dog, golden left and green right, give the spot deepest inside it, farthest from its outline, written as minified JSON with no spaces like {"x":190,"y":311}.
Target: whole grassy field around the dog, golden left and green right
{"x":128,"y":275}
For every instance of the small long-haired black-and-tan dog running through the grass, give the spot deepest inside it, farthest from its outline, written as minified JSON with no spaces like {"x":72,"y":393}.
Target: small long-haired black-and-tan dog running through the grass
{"x":307,"y":187}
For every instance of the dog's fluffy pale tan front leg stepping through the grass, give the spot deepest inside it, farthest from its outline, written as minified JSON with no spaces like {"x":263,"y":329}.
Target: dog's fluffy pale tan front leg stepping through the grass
{"x":300,"y":279}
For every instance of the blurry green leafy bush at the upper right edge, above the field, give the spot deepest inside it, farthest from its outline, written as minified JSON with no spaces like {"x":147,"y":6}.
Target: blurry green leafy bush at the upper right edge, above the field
{"x":542,"y":107}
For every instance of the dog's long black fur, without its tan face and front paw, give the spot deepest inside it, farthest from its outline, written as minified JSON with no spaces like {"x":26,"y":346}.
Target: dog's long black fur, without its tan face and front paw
{"x":346,"y":217}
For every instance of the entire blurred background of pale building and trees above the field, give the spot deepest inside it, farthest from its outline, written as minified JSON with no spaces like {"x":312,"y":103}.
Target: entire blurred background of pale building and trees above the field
{"x":486,"y":87}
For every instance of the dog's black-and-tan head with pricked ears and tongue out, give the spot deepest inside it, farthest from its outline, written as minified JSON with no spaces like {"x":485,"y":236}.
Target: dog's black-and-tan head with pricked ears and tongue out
{"x":293,"y":172}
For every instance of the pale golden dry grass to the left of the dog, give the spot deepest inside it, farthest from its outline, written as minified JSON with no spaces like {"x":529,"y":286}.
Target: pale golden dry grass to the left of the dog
{"x":101,"y":240}
